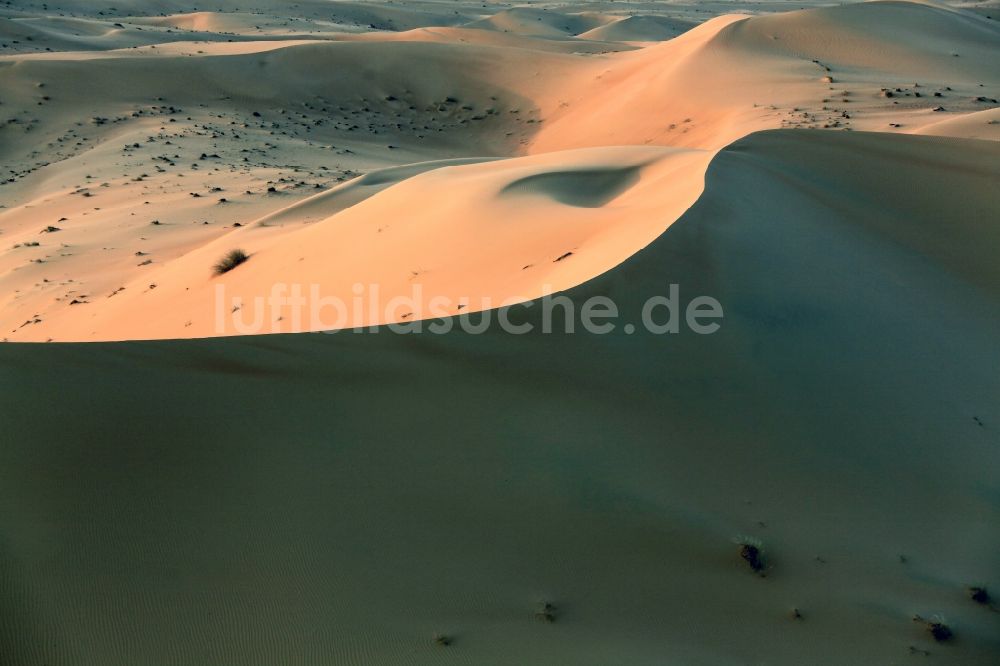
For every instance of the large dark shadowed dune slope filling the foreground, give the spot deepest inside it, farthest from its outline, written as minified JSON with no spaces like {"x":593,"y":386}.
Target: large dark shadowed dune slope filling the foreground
{"x":188,"y":506}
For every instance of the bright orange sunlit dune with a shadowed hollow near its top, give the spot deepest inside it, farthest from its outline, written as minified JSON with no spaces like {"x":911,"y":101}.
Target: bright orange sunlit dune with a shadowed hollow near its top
{"x":533,"y":211}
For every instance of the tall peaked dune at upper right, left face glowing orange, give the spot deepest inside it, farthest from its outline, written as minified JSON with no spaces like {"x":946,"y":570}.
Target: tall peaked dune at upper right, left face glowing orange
{"x":733,"y":75}
